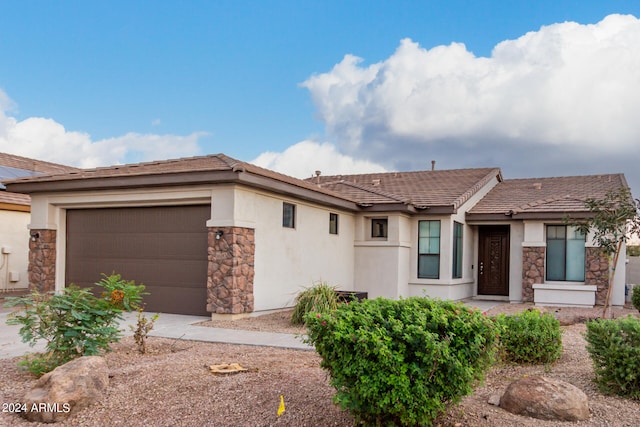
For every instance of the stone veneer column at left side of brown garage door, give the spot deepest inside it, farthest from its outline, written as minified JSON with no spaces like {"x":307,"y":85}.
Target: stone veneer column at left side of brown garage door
{"x":42,"y":260}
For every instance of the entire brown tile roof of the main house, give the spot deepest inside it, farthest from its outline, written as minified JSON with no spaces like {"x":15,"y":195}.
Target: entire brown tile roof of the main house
{"x":422,"y":189}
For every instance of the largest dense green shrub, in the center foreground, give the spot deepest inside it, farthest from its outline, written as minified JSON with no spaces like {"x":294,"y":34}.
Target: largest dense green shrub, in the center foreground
{"x":402,"y":362}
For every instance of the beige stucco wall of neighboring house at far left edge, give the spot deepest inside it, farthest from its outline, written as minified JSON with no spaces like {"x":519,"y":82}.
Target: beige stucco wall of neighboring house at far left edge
{"x":14,"y":259}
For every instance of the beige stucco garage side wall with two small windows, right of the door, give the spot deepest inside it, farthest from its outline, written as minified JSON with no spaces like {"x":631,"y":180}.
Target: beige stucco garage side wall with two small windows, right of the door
{"x":288,"y":259}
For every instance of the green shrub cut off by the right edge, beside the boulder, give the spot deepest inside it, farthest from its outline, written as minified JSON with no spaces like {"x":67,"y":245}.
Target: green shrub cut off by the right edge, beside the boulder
{"x":614,"y":347}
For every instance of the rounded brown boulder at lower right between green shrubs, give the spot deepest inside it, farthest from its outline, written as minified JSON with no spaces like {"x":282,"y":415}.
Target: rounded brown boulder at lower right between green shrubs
{"x":545,"y":399}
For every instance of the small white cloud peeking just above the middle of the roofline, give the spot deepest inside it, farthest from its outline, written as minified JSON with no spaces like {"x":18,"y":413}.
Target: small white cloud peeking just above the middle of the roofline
{"x":304,"y":158}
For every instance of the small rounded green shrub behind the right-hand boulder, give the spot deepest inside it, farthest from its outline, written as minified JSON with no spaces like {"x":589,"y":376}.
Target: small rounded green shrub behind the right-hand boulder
{"x":531,"y":337}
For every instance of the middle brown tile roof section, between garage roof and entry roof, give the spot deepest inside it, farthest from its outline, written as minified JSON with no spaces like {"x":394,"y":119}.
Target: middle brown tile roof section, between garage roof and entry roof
{"x":422,"y":189}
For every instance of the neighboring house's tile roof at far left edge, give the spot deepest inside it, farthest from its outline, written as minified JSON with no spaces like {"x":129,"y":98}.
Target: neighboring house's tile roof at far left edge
{"x":12,"y":167}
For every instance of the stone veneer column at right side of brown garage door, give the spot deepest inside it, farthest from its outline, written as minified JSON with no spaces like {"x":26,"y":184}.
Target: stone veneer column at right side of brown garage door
{"x":231,"y":270}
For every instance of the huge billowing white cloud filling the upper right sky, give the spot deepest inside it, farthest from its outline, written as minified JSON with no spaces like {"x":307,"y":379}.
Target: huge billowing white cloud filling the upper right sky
{"x":566,"y":84}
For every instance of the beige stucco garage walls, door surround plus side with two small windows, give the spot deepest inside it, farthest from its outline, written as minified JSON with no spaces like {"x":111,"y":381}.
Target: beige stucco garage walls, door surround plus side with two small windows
{"x":286,"y":260}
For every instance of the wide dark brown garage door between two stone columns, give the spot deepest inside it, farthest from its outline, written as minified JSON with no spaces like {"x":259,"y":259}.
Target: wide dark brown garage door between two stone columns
{"x":165,"y":248}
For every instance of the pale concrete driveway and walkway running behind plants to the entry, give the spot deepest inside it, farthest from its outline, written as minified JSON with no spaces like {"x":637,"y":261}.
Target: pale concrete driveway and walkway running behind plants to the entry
{"x":183,"y":327}
